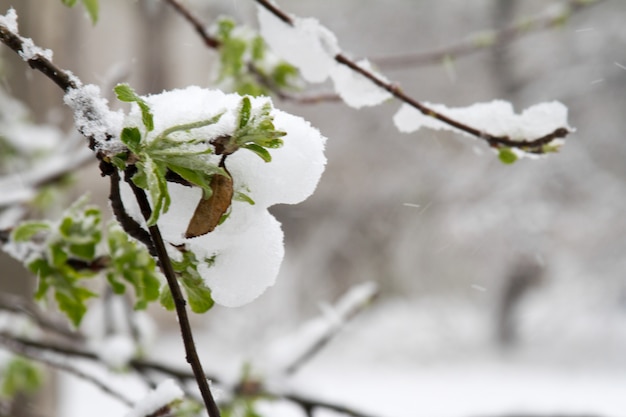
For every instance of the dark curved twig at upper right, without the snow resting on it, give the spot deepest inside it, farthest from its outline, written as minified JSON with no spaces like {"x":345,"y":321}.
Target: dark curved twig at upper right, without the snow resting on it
{"x":531,"y":145}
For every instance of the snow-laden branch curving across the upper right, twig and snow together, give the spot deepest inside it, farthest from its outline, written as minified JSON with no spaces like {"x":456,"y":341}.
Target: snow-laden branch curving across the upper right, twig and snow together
{"x":297,"y":40}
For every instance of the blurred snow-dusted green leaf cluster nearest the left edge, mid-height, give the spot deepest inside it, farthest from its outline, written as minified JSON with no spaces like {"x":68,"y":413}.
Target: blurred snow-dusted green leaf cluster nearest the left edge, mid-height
{"x":69,"y":250}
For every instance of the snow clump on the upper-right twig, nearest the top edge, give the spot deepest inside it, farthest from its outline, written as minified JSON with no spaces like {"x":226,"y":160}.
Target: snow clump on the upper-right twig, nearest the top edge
{"x":307,"y":44}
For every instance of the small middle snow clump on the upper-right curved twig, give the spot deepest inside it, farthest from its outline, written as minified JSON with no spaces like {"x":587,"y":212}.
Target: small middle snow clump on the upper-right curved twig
{"x":356,"y":90}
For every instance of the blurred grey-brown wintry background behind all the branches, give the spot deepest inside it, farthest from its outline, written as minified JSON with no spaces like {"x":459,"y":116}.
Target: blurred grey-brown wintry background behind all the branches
{"x":503,"y":287}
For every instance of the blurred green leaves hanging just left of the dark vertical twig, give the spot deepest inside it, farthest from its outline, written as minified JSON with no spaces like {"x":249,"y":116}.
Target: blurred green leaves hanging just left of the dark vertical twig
{"x":131,"y":262}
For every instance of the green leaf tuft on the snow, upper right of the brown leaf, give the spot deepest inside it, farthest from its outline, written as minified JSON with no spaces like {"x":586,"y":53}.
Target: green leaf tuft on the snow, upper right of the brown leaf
{"x":255,"y":131}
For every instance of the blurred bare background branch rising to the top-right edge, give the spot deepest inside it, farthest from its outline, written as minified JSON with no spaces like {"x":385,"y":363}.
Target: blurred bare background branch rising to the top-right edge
{"x":551,"y":18}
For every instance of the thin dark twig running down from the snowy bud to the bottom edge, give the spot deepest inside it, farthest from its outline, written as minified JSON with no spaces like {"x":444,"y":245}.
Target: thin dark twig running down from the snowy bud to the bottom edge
{"x":179,"y":301}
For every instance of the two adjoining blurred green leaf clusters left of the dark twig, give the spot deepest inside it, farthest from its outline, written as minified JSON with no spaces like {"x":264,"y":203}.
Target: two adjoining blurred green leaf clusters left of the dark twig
{"x":64,"y":254}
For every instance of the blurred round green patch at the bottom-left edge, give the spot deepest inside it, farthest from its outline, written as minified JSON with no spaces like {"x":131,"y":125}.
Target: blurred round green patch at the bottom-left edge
{"x":19,"y":376}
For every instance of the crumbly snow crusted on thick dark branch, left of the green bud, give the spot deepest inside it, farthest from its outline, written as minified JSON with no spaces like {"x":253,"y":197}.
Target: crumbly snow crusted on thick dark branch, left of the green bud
{"x":92,"y":116}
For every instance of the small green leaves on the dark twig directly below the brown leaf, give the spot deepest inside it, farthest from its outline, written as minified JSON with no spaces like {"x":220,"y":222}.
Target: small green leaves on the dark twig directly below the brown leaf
{"x":198,"y":294}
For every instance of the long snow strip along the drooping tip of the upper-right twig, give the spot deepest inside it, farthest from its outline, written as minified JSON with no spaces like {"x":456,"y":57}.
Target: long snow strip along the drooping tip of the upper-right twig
{"x":496,"y":118}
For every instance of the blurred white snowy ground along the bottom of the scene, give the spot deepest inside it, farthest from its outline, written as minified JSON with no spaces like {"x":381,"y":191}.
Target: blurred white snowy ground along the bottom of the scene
{"x":430,"y":358}
